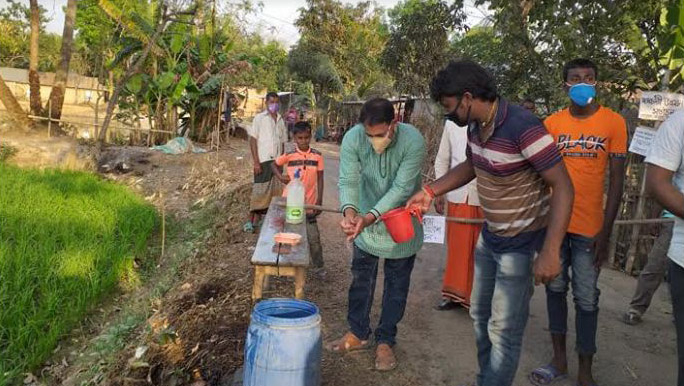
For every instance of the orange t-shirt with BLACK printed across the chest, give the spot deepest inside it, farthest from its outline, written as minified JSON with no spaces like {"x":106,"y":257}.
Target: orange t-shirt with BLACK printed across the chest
{"x":585,"y":145}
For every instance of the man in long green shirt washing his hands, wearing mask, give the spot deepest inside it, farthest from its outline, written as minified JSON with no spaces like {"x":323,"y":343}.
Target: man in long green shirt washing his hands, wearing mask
{"x":380,"y":165}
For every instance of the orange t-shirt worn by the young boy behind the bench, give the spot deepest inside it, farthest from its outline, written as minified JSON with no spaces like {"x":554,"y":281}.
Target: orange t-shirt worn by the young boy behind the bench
{"x":310,"y":163}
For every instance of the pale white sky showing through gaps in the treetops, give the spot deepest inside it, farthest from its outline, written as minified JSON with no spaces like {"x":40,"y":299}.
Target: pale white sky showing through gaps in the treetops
{"x":274,"y":21}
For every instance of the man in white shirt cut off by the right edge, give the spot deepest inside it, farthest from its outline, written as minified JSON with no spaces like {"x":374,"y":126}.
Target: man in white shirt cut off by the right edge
{"x":665,"y":183}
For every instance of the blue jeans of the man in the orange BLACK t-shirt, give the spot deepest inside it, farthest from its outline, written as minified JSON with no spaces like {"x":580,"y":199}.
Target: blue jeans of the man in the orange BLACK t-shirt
{"x":577,"y":266}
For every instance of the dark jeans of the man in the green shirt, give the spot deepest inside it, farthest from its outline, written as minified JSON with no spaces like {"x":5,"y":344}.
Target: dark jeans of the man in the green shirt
{"x":397,"y":281}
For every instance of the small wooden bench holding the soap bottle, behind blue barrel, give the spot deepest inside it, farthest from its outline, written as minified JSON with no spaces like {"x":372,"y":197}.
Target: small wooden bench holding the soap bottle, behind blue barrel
{"x":271,"y":260}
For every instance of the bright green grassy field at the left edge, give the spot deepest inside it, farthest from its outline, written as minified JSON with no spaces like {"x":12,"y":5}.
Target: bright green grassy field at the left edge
{"x":67,"y":239}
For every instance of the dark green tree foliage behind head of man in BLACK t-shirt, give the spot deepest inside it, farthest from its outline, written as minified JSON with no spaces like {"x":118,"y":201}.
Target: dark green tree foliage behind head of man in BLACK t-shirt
{"x":538,"y":37}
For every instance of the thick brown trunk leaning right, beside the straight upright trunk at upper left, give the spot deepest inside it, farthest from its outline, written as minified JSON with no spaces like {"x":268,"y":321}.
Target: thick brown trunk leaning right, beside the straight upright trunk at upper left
{"x":59,"y":86}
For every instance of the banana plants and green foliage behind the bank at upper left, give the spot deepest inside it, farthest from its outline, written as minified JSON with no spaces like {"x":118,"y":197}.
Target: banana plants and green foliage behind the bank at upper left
{"x":195,"y":57}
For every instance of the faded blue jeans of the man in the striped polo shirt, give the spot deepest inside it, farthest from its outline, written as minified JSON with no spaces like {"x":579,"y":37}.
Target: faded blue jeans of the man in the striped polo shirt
{"x":500,"y":302}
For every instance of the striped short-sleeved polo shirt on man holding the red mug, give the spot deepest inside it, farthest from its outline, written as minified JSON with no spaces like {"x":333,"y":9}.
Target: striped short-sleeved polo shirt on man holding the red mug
{"x":507,"y":161}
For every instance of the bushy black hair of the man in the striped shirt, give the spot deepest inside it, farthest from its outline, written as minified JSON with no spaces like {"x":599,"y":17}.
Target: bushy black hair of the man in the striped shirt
{"x":461,"y":76}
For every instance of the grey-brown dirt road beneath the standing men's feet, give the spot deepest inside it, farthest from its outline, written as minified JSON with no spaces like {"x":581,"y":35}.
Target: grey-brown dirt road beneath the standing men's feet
{"x":438,"y":348}
